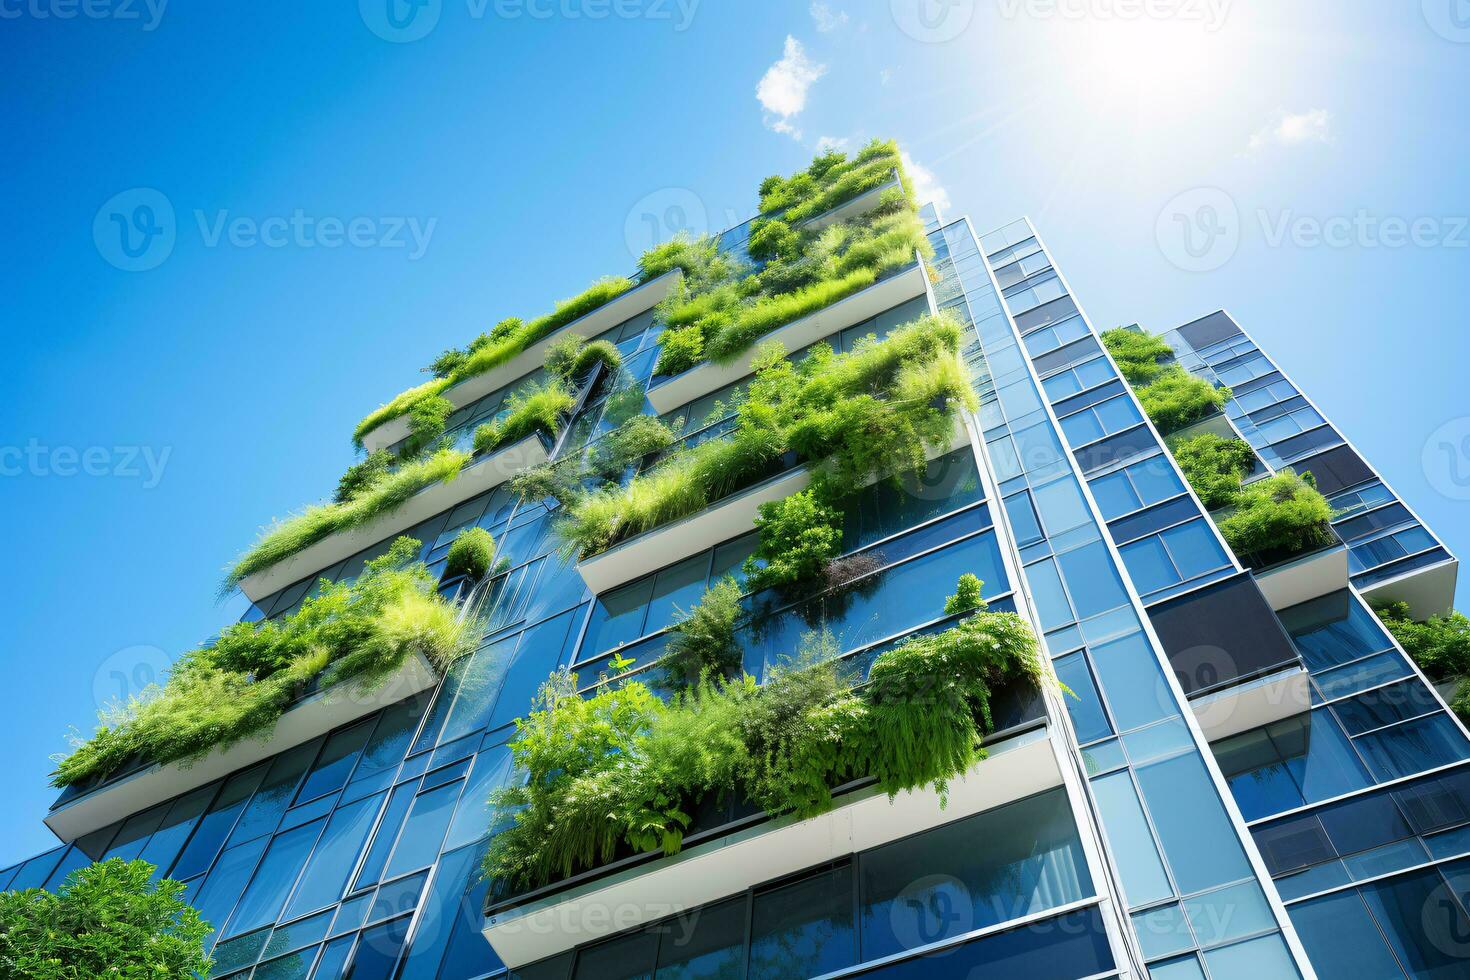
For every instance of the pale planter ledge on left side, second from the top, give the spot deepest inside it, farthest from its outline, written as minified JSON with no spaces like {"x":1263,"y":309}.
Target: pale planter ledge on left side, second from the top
{"x":478,"y":477}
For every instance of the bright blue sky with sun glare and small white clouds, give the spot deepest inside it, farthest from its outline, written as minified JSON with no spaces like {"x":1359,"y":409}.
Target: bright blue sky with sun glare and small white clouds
{"x":349,"y":199}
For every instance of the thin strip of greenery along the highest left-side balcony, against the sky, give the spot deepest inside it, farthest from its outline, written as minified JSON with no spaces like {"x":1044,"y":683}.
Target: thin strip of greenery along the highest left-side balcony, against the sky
{"x":492,"y":350}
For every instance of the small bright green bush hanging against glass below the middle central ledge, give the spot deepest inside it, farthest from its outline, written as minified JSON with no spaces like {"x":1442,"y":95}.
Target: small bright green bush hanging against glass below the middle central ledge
{"x":799,"y":537}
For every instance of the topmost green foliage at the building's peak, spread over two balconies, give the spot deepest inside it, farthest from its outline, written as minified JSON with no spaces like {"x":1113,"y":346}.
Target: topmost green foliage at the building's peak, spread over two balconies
{"x":721,"y":312}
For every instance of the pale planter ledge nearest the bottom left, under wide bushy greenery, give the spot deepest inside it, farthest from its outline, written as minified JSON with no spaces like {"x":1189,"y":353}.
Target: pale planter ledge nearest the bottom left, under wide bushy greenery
{"x":314,"y":716}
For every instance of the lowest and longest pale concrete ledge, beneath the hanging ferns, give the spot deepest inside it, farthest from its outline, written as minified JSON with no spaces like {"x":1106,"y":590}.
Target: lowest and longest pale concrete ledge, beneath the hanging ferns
{"x":714,"y":871}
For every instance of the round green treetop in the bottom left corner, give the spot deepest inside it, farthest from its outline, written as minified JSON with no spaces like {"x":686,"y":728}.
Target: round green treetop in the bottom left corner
{"x":107,"y":920}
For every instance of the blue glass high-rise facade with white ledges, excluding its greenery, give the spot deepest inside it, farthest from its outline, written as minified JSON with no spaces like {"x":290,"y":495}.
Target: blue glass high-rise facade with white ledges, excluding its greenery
{"x":1246,"y":778}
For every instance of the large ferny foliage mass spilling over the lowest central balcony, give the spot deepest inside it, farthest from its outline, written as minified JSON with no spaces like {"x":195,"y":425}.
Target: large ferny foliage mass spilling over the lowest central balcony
{"x":621,"y":771}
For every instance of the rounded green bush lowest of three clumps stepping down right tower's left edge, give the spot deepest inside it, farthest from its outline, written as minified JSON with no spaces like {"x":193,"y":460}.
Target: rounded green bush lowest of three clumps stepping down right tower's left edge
{"x":1278,"y":516}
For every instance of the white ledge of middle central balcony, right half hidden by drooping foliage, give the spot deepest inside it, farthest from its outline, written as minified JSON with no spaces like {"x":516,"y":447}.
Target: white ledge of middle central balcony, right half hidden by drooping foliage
{"x":717,"y":524}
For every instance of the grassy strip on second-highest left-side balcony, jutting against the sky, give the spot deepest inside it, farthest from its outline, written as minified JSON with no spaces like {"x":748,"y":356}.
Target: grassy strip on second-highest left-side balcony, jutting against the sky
{"x":295,"y":536}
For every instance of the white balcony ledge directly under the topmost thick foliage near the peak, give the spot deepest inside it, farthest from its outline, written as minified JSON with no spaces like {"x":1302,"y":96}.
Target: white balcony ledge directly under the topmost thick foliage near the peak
{"x":867,"y":303}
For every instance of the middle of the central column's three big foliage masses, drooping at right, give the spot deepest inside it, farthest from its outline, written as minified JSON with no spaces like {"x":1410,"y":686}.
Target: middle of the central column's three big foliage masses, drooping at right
{"x":872,"y":412}
